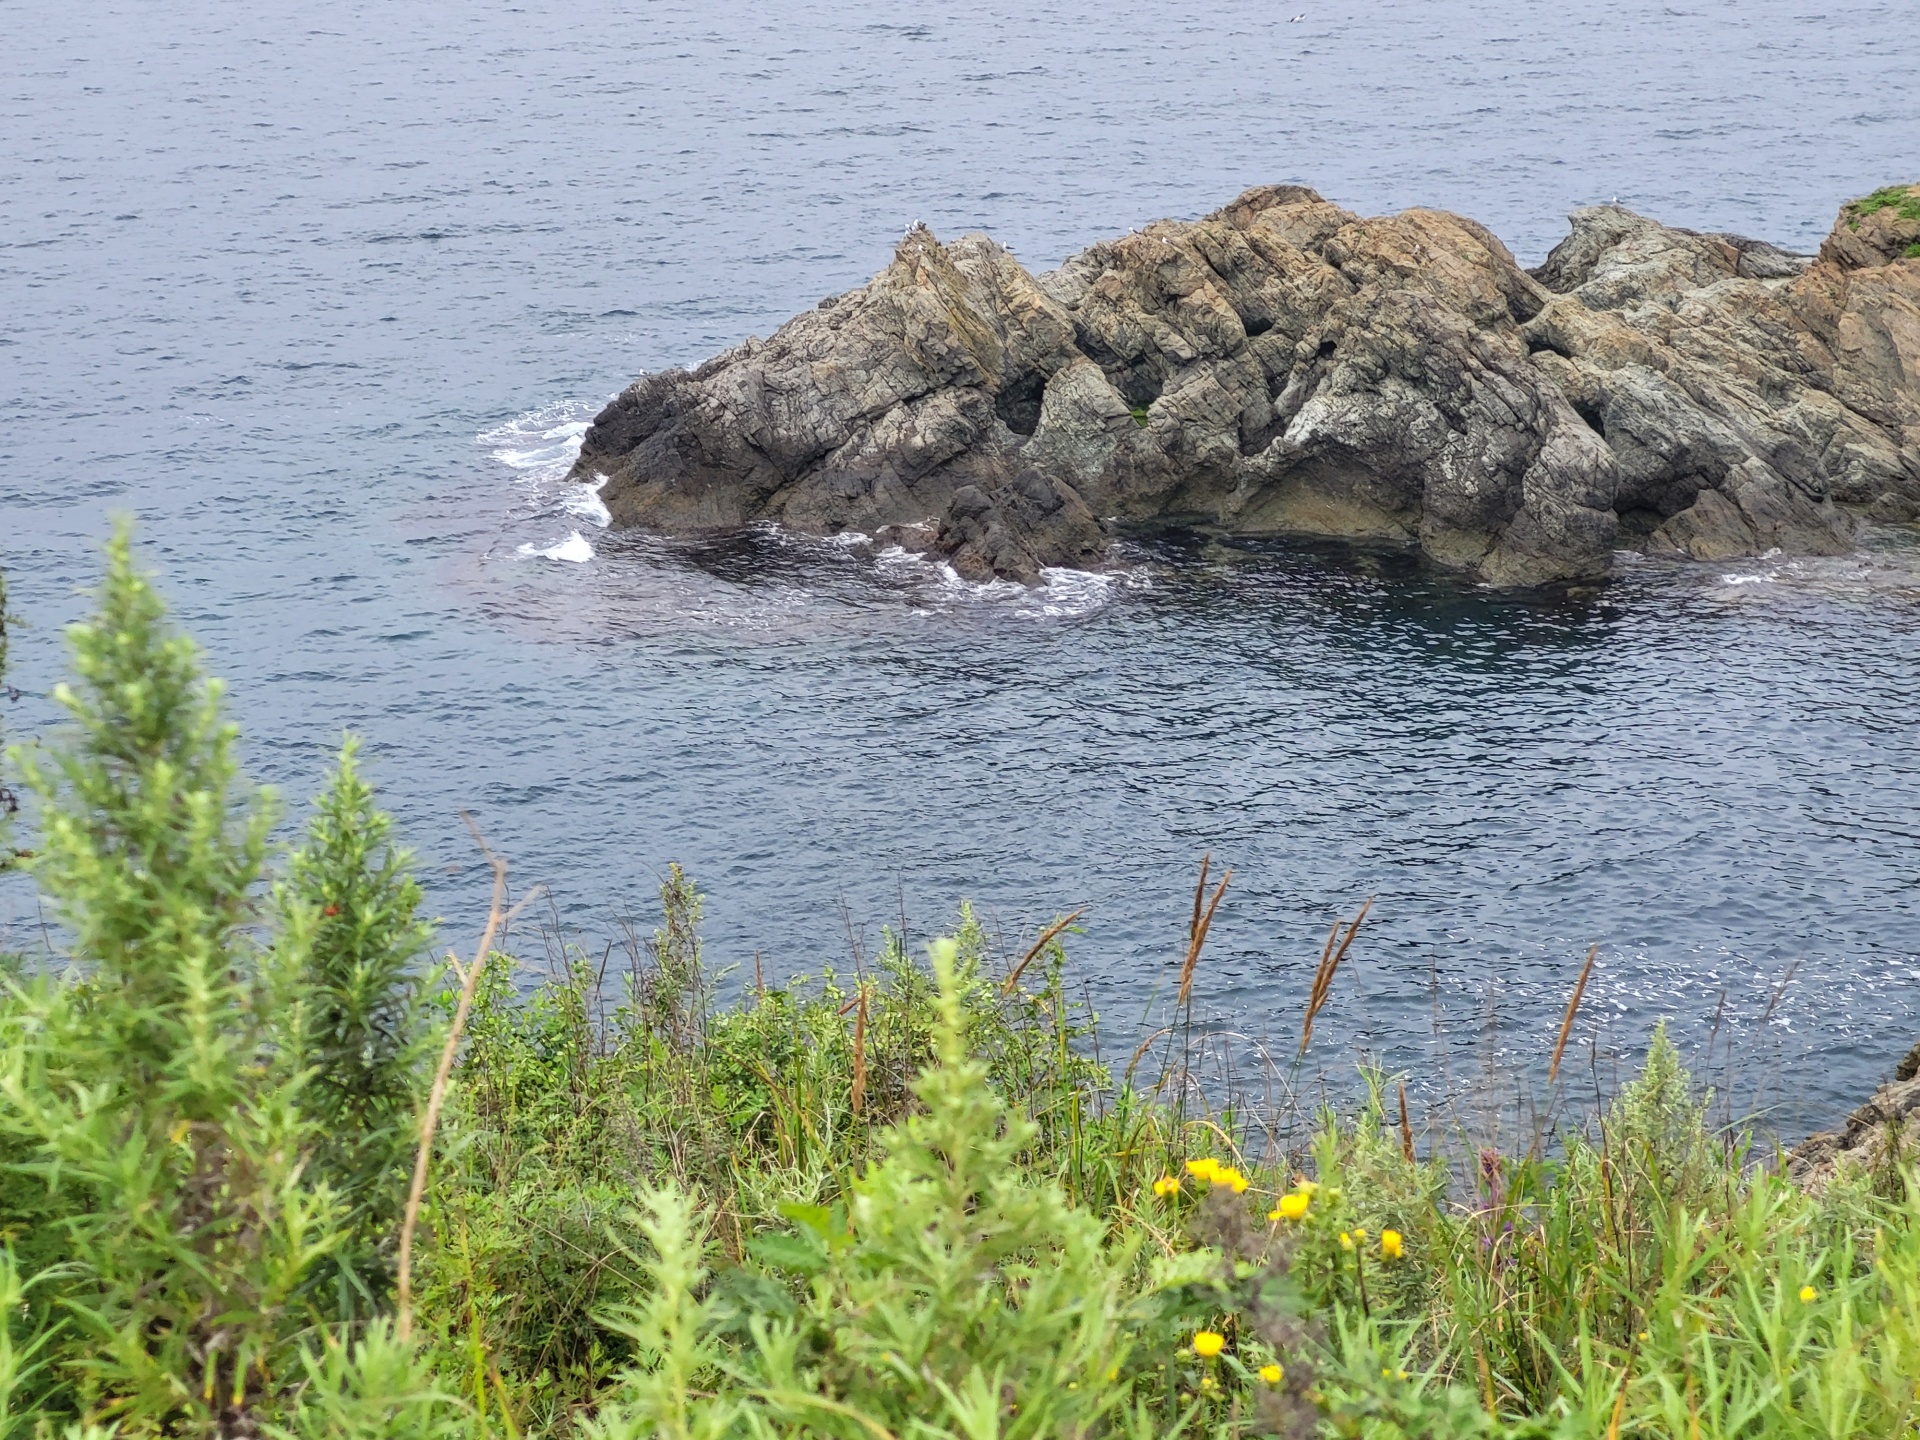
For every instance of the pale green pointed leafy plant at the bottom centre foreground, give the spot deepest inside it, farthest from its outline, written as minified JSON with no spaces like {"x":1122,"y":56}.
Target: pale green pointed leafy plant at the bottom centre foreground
{"x":953,"y":1297}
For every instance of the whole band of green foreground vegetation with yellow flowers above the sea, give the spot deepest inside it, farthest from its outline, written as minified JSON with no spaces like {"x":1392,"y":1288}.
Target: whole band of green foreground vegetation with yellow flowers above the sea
{"x":898,"y":1203}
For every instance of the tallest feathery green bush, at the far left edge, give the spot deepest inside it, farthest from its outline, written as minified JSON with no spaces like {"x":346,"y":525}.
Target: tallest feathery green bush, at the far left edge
{"x":153,"y":1111}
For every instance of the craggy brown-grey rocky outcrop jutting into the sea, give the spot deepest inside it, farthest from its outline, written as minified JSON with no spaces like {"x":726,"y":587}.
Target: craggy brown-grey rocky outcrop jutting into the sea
{"x":1289,"y":368}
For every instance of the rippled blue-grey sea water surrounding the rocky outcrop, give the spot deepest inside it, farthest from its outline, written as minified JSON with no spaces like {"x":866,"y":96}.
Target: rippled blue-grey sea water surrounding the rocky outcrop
{"x":322,"y":295}
